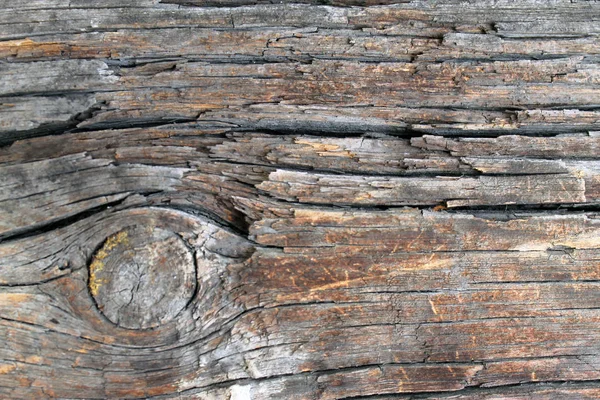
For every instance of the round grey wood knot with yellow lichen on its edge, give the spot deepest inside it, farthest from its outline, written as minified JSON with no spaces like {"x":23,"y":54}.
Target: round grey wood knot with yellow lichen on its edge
{"x":142,"y":277}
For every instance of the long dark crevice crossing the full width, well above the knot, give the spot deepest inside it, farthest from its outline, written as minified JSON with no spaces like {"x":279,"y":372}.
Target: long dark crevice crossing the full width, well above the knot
{"x":331,"y":128}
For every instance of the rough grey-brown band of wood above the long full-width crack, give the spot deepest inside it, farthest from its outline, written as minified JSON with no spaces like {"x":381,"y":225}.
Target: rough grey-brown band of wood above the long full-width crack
{"x":479,"y":83}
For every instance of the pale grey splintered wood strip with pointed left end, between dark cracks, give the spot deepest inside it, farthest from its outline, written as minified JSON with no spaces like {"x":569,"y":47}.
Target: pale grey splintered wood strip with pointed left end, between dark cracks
{"x":453,"y":191}
